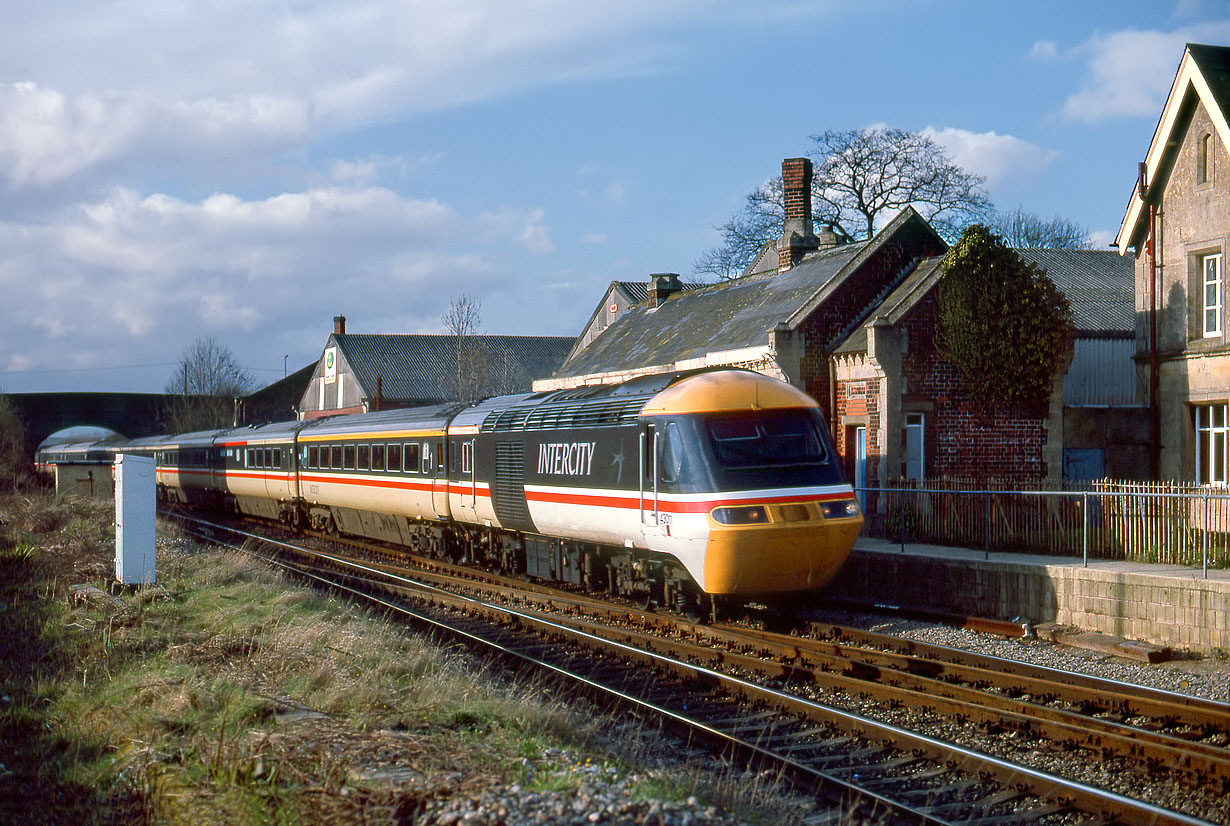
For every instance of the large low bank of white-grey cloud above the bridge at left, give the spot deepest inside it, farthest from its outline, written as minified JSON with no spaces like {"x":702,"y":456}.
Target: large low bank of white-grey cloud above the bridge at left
{"x":152,"y":273}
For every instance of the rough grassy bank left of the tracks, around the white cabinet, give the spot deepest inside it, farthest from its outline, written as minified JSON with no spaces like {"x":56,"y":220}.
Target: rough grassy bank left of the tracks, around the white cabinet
{"x":227,"y":694}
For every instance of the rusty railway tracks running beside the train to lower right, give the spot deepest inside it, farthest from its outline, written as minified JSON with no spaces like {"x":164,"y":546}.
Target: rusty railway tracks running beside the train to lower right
{"x":785,"y":702}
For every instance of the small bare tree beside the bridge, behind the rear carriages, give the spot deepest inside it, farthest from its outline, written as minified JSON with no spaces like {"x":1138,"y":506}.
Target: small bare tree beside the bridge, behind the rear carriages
{"x":205,"y":387}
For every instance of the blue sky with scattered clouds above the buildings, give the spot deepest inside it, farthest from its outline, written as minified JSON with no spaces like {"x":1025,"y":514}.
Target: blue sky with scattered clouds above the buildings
{"x":247,"y":170}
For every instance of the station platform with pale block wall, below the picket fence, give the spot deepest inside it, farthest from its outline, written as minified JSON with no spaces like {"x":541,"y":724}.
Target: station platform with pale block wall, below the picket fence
{"x":1165,"y":605}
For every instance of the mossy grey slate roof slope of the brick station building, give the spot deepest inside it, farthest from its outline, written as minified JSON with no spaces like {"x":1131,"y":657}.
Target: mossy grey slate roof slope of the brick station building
{"x":730,"y":315}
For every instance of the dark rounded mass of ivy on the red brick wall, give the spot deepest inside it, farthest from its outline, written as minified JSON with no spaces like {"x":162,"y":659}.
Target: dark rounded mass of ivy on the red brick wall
{"x":1002,"y":323}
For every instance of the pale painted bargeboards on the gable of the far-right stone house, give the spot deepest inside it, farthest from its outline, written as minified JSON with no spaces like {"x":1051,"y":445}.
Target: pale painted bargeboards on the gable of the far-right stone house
{"x":1204,"y":74}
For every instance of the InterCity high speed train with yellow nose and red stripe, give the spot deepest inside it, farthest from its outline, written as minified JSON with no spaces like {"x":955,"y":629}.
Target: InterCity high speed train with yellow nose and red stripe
{"x":666,"y":489}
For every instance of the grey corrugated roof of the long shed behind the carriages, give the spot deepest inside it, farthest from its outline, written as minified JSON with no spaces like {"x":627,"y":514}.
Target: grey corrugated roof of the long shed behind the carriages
{"x":424,"y":368}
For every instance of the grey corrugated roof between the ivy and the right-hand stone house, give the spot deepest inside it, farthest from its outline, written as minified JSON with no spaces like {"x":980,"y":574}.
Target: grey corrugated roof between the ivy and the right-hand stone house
{"x":1100,"y":287}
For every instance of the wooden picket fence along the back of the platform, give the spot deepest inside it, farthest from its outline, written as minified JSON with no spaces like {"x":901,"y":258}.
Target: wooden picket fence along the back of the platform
{"x":1156,"y":523}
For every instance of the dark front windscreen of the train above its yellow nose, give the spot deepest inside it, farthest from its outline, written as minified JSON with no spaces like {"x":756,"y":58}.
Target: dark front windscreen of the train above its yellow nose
{"x":766,"y":439}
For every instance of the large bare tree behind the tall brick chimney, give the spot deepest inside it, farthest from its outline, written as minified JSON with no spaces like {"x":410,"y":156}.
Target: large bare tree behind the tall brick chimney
{"x":860,"y":178}
